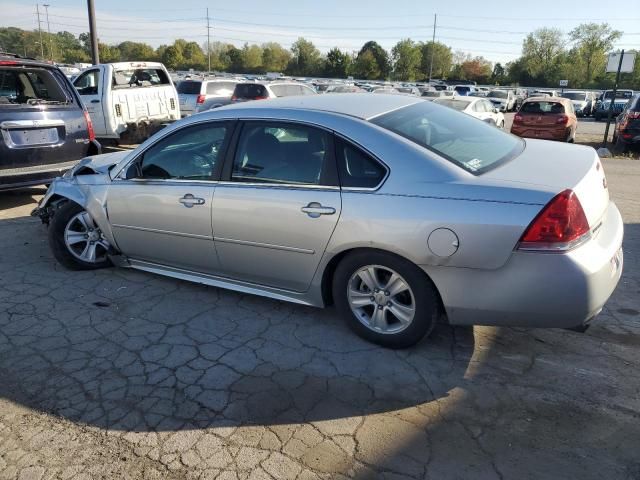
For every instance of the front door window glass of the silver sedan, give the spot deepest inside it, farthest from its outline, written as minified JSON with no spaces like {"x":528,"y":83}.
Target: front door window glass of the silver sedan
{"x":188,"y":154}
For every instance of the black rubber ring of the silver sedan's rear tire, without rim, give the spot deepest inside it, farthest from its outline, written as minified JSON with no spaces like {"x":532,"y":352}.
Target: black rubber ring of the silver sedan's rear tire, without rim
{"x":427,"y":305}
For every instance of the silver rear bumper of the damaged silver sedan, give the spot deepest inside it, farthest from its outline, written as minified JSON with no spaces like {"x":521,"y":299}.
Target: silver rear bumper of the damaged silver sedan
{"x":538,"y":289}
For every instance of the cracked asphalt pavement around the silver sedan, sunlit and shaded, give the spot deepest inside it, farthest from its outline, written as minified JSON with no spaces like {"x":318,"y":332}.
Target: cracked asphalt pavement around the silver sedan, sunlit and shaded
{"x":122,"y":374}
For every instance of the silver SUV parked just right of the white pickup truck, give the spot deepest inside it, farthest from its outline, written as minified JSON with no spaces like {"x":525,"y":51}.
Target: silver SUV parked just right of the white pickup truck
{"x":200,"y":95}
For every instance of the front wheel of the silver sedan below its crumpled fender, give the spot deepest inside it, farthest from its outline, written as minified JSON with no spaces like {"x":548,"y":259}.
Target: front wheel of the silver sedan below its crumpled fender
{"x":67,"y":223}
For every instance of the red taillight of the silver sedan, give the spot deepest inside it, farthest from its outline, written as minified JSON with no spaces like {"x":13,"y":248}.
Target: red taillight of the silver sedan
{"x":560,"y":226}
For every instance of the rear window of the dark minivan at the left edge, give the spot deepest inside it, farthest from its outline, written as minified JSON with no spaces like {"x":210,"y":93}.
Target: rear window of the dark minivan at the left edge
{"x":32,"y":86}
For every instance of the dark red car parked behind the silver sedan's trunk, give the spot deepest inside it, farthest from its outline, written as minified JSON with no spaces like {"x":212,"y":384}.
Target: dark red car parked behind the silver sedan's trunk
{"x":548,"y":118}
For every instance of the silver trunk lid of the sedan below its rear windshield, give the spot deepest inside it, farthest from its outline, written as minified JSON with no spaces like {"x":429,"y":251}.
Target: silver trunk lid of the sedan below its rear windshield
{"x":555,"y":167}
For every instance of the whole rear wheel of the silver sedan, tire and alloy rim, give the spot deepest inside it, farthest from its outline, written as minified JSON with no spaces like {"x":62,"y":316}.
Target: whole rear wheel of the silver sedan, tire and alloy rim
{"x":420,"y":297}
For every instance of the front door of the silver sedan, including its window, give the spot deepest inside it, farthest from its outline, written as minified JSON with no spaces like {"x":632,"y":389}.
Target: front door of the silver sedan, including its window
{"x":160,"y":206}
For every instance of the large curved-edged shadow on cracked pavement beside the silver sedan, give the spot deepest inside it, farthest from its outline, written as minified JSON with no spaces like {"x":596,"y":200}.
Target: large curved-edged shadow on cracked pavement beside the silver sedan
{"x":130,"y":351}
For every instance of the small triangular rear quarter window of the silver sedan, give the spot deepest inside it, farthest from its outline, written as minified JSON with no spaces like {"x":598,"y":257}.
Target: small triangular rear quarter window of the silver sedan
{"x":357,"y":169}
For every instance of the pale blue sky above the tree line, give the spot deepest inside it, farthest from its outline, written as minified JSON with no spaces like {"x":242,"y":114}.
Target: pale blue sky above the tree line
{"x":493,"y":29}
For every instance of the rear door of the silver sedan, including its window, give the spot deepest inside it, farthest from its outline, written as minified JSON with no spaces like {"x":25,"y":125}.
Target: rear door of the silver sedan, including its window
{"x":277,"y":206}
